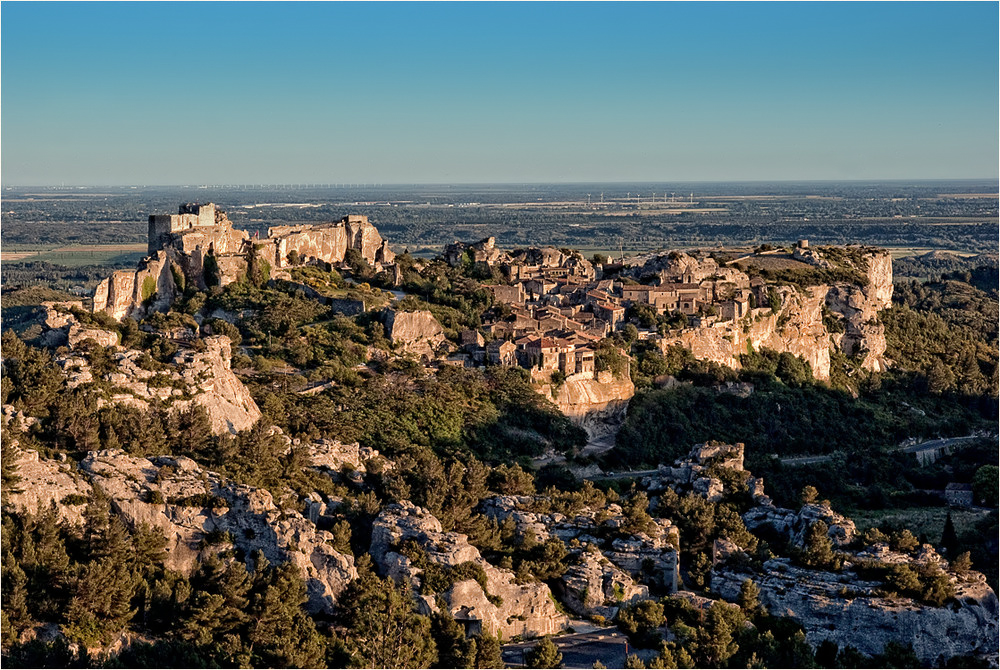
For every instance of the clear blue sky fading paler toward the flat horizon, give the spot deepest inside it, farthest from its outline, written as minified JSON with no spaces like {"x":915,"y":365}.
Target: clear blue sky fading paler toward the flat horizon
{"x":226,"y":93}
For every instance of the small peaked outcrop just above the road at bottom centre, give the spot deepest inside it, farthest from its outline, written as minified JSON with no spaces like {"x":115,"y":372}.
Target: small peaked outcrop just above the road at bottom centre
{"x":595,"y":586}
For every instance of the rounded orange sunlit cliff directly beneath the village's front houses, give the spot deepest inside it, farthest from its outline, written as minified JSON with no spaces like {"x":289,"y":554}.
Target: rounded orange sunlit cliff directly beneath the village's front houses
{"x":597,"y":406}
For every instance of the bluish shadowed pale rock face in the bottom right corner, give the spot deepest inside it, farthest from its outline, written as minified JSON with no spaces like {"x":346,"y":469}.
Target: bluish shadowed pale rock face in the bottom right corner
{"x":848,"y":611}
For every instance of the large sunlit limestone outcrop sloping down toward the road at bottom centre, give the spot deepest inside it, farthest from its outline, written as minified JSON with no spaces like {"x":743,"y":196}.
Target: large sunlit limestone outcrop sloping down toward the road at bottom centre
{"x":504,"y":606}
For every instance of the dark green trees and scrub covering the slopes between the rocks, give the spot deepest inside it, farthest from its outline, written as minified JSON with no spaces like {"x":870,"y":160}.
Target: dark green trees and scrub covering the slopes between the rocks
{"x":458,"y":436}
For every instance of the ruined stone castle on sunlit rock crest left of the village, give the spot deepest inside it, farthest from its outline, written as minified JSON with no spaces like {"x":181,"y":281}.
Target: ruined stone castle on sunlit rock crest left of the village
{"x":198,"y":246}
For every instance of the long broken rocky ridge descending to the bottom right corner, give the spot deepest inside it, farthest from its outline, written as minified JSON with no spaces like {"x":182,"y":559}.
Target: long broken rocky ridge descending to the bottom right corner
{"x":835,"y":605}
